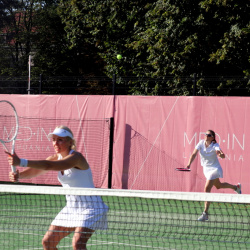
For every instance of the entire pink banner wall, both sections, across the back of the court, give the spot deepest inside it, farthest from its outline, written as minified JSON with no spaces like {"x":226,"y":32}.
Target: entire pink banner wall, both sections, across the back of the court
{"x":152,"y":136}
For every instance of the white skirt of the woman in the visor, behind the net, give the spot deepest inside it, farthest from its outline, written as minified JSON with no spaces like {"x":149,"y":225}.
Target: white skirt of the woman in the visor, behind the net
{"x":83,"y":211}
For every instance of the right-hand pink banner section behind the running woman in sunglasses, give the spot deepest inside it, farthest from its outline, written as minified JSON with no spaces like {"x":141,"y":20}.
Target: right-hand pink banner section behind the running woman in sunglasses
{"x":157,"y":134}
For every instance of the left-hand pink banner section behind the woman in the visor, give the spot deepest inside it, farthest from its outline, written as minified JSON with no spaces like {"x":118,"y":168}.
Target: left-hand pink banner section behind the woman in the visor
{"x":88,"y":118}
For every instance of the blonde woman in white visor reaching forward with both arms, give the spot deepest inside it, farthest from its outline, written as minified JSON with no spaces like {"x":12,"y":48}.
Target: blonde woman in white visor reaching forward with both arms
{"x":82,"y":214}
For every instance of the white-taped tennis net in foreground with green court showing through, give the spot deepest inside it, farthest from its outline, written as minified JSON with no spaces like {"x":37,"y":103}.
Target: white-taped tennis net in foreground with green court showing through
{"x":136,"y":219}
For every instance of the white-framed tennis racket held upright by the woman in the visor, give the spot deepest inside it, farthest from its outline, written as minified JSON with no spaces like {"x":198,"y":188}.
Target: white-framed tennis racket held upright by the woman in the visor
{"x":8,"y":127}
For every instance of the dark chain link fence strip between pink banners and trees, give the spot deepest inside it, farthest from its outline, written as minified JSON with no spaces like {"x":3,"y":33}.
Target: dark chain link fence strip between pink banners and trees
{"x":118,"y":85}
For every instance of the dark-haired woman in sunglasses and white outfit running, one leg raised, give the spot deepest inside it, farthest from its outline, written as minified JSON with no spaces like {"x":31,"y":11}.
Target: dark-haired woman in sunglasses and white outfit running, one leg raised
{"x":209,"y":149}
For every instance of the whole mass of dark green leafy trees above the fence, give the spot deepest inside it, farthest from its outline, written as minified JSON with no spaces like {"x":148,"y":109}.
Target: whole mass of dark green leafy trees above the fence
{"x":158,"y":39}
